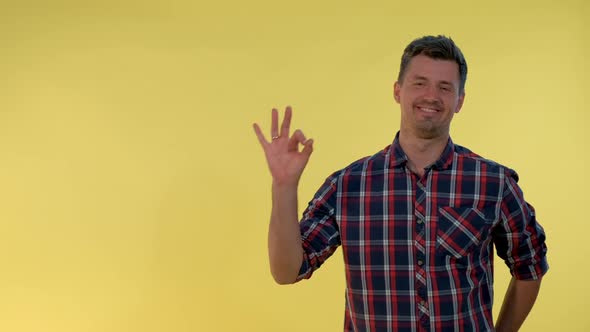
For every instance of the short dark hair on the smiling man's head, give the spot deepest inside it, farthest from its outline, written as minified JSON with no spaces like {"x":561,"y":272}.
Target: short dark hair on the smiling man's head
{"x":435,"y":47}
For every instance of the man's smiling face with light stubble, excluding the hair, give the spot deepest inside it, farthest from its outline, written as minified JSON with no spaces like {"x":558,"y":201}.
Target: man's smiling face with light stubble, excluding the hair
{"x":429,"y":96}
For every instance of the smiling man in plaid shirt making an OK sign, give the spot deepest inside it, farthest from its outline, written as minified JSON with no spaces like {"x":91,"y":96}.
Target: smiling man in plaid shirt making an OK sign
{"x":417,"y":221}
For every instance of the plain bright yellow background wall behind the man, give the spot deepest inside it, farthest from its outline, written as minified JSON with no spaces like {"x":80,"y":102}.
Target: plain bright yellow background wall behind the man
{"x":134,"y":195}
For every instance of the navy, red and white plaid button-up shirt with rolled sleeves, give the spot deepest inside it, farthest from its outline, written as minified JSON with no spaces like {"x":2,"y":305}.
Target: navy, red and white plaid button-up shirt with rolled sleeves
{"x":418,"y":252}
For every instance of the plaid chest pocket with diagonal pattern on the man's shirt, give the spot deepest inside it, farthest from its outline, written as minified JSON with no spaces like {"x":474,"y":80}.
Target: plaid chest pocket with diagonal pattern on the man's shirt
{"x":461,"y":230}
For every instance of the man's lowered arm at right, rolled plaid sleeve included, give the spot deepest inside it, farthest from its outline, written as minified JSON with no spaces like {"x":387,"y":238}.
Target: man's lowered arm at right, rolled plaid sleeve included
{"x":520,"y":241}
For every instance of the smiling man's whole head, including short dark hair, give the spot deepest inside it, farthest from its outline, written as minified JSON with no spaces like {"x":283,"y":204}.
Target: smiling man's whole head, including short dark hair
{"x":430,"y":86}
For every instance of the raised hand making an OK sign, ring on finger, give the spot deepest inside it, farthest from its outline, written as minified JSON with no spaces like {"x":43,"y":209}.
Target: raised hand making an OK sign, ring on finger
{"x":285,"y":162}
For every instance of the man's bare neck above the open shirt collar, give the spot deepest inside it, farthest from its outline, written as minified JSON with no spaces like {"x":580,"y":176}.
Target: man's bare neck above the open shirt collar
{"x":422,"y":152}
